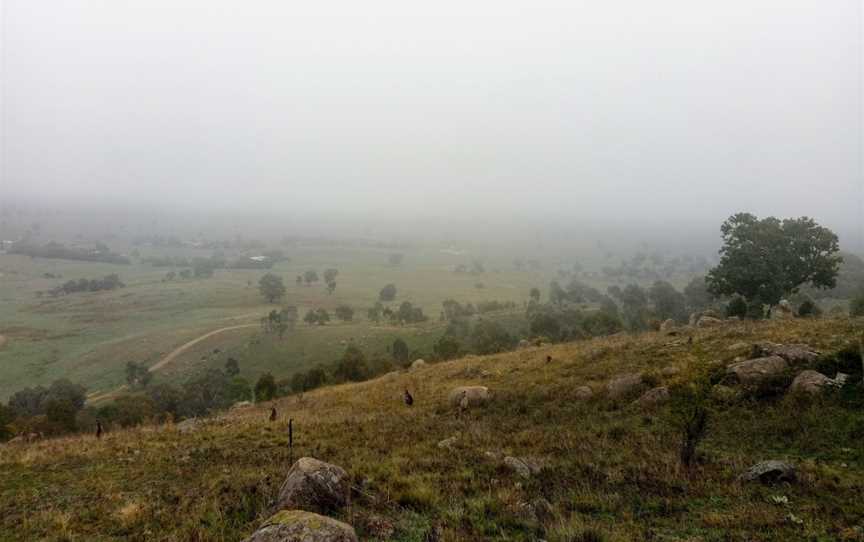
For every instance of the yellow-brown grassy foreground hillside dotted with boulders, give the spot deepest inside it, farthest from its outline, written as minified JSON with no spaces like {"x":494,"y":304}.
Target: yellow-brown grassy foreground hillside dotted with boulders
{"x":611,"y":470}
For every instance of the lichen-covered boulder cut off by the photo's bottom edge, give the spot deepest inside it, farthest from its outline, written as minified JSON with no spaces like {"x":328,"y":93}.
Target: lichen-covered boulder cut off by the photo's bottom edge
{"x":302,"y":526}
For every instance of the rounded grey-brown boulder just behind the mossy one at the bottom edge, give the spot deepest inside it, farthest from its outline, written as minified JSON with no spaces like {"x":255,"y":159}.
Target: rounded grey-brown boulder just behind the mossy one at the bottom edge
{"x":314,"y":486}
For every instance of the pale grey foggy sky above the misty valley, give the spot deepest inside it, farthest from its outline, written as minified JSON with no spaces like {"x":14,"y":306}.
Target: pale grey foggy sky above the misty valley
{"x":619,"y":111}
